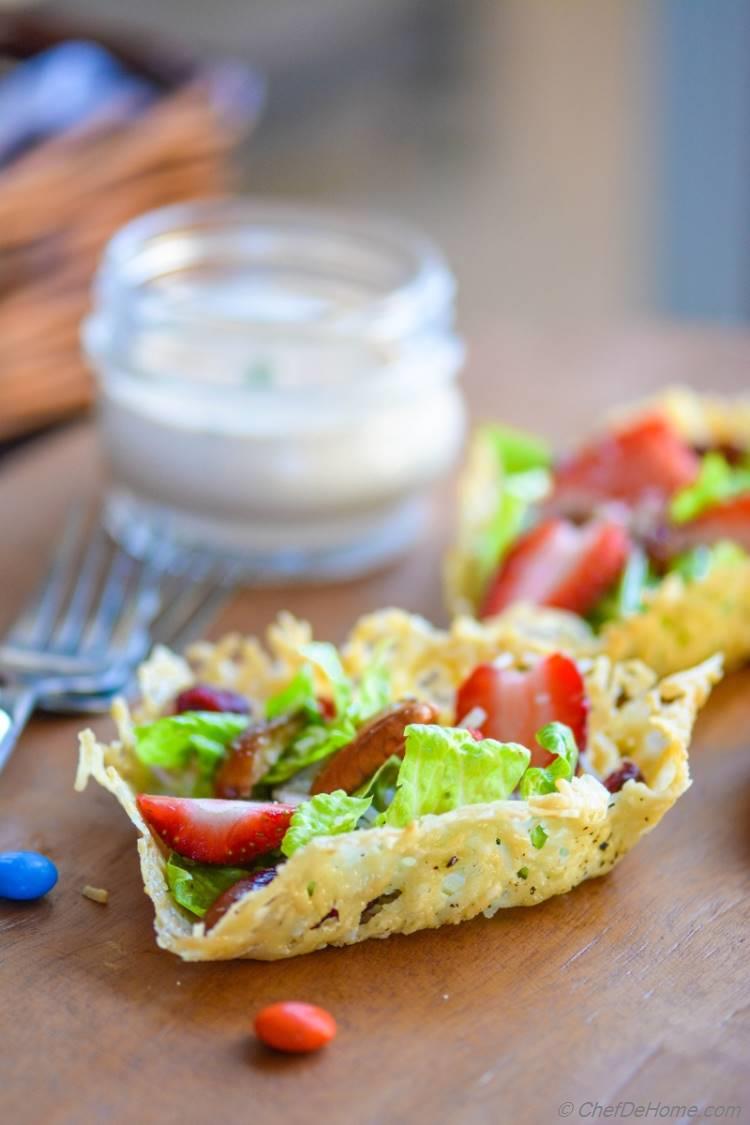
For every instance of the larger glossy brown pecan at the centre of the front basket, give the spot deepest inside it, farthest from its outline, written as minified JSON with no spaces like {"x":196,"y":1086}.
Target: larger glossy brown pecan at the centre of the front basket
{"x":375,"y":743}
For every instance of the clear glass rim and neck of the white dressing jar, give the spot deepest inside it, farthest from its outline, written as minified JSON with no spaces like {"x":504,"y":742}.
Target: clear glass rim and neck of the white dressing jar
{"x":359,"y":282}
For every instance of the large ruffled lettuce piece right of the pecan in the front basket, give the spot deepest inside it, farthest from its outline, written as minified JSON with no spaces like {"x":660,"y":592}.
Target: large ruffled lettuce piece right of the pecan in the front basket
{"x":446,"y":768}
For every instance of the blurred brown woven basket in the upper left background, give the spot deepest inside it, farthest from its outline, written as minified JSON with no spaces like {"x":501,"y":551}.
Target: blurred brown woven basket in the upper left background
{"x":61,"y":202}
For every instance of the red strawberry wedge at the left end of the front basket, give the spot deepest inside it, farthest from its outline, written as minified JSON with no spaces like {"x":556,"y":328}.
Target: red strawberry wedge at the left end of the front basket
{"x":213,"y":831}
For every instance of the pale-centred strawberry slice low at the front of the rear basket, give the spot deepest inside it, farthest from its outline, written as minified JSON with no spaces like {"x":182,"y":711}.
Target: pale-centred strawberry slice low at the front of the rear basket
{"x":561,"y":564}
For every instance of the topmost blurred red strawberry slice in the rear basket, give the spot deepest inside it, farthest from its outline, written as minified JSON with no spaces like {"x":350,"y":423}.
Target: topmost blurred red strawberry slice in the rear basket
{"x":646,"y":457}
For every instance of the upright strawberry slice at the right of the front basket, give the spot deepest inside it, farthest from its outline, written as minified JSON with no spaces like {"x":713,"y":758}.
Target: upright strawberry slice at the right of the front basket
{"x":517,"y":705}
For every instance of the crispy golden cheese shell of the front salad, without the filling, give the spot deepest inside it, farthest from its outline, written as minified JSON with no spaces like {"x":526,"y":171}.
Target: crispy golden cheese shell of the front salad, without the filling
{"x":439,"y":869}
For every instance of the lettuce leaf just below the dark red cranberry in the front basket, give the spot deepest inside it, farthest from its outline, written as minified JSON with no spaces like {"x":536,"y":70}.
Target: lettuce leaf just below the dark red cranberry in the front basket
{"x":194,"y":739}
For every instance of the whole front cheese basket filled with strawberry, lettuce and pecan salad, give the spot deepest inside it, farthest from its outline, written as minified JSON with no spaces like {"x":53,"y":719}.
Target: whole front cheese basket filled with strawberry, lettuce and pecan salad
{"x":300,"y":797}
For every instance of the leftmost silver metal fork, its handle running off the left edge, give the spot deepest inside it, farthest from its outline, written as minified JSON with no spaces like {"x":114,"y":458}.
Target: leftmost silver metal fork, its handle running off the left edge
{"x":84,"y":631}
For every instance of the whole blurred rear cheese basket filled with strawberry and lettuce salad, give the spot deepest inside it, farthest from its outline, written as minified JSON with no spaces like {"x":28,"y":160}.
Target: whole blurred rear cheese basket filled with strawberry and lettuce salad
{"x":644,"y":533}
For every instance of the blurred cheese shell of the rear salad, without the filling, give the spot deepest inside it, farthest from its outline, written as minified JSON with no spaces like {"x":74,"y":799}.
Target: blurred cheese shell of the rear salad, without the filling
{"x":683,"y":622}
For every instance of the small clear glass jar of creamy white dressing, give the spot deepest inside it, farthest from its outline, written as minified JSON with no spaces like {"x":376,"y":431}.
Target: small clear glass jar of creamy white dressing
{"x":277,"y":384}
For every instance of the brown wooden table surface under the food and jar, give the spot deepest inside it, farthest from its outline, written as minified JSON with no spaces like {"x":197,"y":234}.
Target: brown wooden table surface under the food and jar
{"x":634,"y":988}
